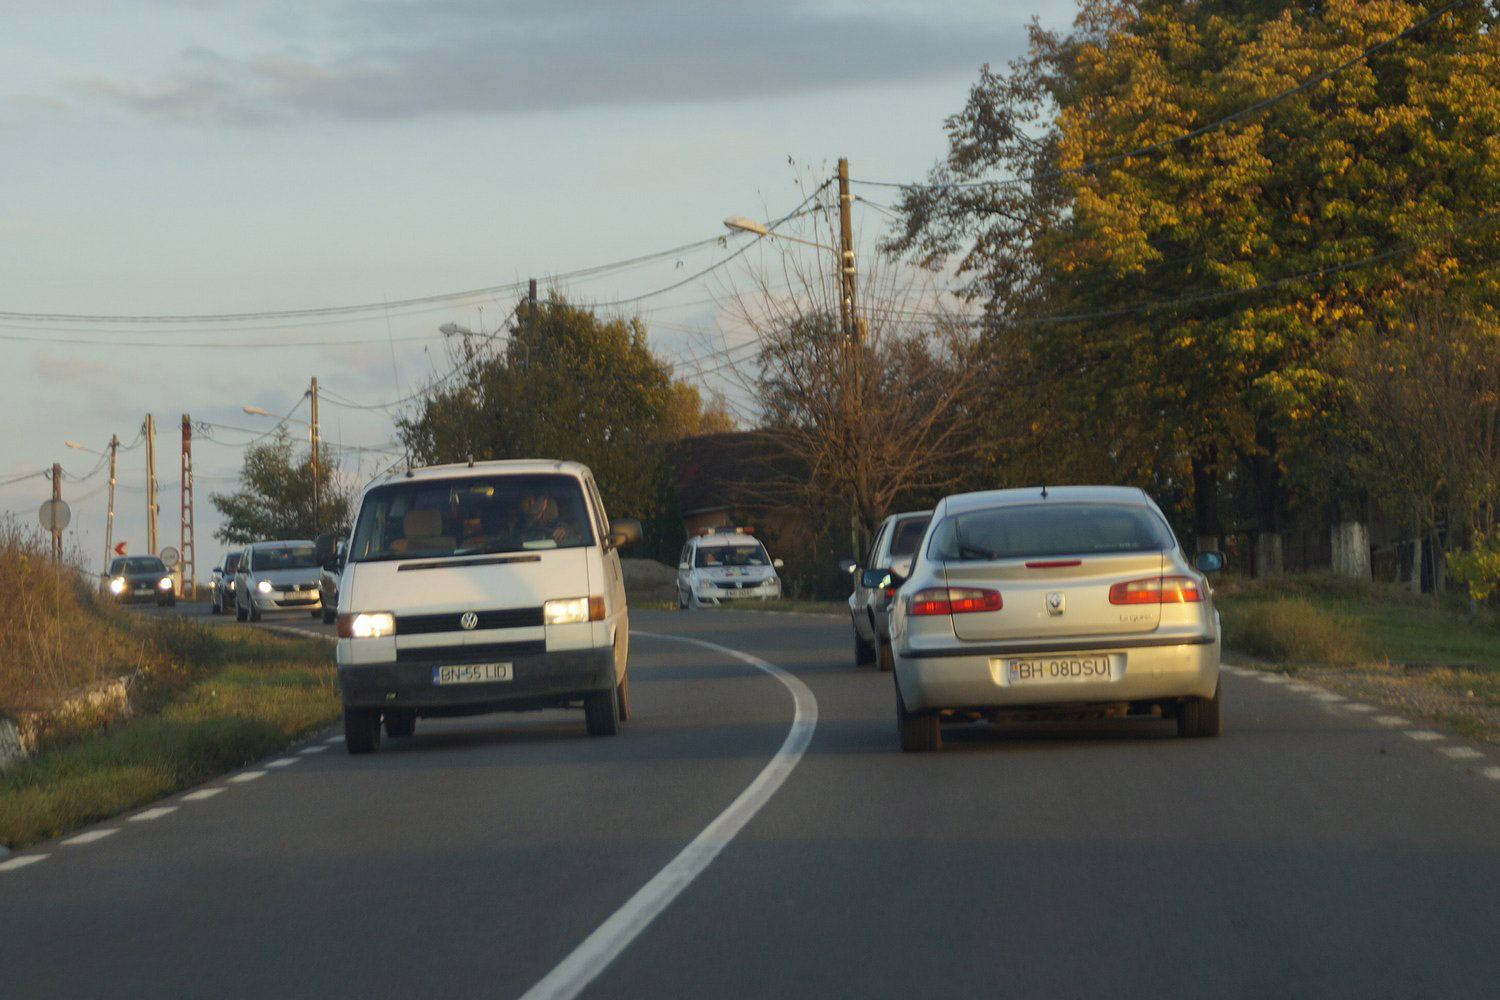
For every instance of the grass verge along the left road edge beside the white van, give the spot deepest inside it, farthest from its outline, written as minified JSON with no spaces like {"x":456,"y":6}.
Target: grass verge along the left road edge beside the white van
{"x":244,"y":696}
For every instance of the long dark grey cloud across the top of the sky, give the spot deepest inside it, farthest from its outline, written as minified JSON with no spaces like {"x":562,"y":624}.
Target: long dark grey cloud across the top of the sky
{"x":467,"y":58}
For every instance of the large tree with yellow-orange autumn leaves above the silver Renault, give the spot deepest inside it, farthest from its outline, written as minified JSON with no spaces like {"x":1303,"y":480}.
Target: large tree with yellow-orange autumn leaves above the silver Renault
{"x":1178,"y":212}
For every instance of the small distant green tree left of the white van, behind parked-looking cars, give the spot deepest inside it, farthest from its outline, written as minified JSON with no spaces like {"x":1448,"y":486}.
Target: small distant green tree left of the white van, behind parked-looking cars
{"x":277,"y":497}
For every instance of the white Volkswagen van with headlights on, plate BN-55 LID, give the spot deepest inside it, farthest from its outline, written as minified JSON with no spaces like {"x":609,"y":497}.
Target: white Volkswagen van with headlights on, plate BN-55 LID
{"x":481,"y":588}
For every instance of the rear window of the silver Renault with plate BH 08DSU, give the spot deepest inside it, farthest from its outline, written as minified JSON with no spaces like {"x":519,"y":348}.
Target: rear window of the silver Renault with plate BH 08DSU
{"x":1049,"y":530}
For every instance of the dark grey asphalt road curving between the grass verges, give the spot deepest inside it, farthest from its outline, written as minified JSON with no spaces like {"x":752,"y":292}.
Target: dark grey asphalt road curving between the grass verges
{"x":1316,"y":849}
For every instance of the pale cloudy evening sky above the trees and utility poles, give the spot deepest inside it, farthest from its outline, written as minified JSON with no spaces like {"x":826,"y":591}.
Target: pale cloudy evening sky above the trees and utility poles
{"x":206,"y":205}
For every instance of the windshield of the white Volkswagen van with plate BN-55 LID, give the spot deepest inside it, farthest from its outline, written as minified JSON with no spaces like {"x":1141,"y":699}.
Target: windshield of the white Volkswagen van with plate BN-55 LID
{"x":472,"y":515}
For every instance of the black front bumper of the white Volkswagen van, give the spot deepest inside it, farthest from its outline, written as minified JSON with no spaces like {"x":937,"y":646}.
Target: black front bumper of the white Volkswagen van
{"x":538,"y":680}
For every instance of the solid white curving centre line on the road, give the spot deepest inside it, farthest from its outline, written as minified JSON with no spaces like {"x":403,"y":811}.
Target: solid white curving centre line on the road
{"x":601,"y":948}
